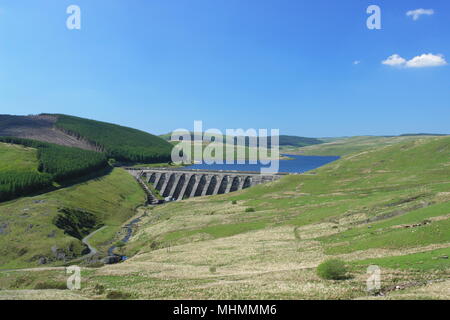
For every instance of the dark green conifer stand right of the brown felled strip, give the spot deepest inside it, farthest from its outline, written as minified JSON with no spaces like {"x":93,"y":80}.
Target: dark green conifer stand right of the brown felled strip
{"x":120,"y":143}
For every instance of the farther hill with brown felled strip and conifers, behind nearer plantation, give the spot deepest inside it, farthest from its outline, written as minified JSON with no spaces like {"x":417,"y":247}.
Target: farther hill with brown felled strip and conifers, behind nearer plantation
{"x":118,"y":142}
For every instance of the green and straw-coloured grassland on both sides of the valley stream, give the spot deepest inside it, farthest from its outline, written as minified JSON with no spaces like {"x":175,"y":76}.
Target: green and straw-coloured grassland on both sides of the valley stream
{"x":385,"y":202}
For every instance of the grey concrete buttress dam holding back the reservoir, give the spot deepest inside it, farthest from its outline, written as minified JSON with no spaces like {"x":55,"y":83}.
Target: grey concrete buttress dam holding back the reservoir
{"x":181,"y":184}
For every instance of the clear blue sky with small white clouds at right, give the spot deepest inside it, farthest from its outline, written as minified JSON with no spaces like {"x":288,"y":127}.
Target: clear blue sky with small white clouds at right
{"x":306,"y":67}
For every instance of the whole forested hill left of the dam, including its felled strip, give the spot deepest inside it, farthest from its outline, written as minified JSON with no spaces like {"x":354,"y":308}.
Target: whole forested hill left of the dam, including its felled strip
{"x":66,"y":148}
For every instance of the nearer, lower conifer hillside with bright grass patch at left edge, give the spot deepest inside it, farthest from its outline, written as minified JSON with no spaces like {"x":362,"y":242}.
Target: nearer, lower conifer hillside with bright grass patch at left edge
{"x":34,"y":168}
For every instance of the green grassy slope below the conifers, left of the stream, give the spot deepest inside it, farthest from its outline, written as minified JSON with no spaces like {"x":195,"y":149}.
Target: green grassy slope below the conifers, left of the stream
{"x":29,"y":232}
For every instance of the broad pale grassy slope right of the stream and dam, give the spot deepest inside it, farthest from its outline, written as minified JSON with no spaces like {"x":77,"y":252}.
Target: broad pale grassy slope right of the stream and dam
{"x":353,"y":208}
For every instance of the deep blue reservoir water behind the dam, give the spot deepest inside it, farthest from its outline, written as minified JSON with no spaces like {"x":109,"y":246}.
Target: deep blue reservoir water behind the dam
{"x":299,"y":164}
